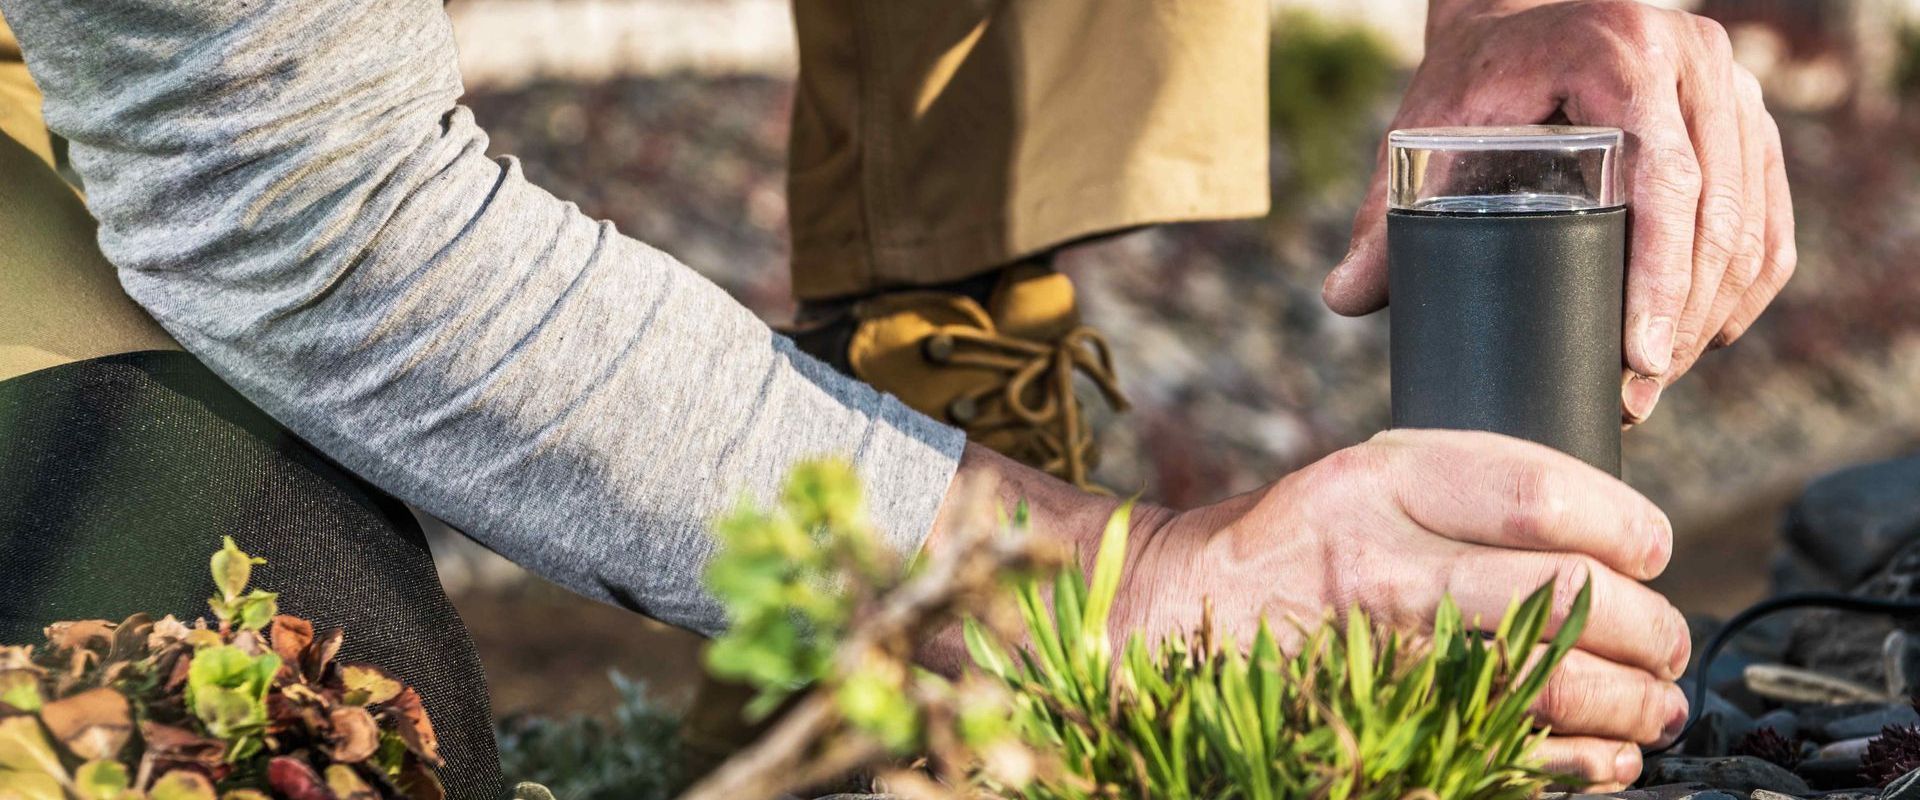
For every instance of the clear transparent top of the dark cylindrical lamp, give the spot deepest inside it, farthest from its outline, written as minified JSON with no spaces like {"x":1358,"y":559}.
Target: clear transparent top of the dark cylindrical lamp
{"x":1508,"y":170}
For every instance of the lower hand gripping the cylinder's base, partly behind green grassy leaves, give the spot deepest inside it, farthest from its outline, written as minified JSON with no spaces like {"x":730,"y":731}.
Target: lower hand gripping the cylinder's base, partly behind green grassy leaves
{"x":1395,"y":525}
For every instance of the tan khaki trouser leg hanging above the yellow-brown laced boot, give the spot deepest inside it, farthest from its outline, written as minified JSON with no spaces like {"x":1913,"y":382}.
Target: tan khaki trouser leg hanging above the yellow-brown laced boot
{"x":940,"y":139}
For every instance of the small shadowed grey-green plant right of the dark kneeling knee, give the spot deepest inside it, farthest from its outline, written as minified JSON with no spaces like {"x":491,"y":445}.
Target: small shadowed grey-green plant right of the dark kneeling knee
{"x":631,"y":757}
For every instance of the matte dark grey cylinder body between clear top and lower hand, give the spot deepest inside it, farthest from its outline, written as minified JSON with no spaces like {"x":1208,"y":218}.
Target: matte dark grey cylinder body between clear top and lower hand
{"x":1510,"y":323}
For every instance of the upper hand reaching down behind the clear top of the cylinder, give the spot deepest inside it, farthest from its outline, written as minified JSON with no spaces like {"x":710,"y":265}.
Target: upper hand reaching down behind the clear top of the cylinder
{"x":1712,"y":220}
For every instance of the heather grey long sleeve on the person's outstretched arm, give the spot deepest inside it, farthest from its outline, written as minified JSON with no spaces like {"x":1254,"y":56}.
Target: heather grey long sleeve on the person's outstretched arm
{"x":291,"y":189}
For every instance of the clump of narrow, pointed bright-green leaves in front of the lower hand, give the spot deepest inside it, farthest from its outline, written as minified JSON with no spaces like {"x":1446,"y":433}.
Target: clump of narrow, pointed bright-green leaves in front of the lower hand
{"x":1351,"y":715}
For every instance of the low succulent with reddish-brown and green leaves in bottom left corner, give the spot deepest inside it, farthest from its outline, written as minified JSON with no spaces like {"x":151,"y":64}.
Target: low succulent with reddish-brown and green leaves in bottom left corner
{"x":249,"y":705}
